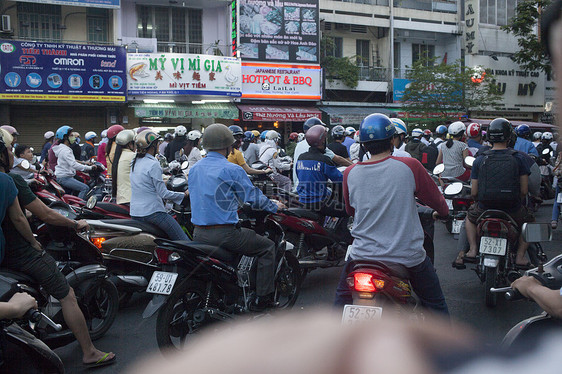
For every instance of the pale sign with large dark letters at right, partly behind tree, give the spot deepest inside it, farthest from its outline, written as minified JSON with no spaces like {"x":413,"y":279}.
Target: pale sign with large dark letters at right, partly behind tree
{"x":520,"y":90}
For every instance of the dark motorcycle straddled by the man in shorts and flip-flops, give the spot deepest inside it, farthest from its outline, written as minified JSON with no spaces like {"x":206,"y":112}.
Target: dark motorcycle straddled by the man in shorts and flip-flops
{"x":81,"y":263}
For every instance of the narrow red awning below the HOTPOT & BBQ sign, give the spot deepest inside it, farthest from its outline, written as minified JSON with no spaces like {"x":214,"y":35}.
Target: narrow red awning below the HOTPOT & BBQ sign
{"x":277,"y":113}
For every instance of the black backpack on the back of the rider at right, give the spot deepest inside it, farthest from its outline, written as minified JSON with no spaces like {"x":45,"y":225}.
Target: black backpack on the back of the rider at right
{"x":498,"y":179}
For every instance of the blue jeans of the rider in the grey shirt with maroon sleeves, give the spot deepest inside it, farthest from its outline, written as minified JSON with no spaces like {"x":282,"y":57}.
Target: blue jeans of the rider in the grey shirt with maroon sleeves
{"x":423,"y":279}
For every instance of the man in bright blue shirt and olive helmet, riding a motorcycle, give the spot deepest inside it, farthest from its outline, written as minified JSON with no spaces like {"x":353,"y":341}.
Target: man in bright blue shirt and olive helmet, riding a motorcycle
{"x":217,"y":188}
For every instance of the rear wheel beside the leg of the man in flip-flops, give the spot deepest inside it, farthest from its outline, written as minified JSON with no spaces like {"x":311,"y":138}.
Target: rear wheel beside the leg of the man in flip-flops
{"x":102,"y":307}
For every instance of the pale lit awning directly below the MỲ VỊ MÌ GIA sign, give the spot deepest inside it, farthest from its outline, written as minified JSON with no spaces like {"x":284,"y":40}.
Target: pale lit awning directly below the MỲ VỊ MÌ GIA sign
{"x":209,"y":110}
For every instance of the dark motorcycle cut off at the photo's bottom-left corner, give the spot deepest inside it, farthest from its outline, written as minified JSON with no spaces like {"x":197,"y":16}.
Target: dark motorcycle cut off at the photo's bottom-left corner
{"x":23,"y":352}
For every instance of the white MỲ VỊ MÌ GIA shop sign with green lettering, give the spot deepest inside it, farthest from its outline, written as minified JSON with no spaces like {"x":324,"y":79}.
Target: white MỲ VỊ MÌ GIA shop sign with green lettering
{"x":183,"y":74}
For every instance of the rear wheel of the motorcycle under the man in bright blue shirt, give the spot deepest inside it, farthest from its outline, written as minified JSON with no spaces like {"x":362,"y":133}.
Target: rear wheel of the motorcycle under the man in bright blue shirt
{"x":175,"y":319}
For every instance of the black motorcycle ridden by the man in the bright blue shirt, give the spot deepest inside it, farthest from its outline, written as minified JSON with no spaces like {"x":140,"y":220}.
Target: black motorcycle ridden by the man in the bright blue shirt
{"x":202,"y":284}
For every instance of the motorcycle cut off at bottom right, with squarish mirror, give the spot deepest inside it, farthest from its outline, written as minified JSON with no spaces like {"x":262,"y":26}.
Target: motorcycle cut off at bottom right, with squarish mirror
{"x":525,"y":335}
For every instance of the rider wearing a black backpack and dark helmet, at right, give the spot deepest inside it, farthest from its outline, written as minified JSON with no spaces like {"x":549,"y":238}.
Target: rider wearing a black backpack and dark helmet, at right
{"x":500,"y":179}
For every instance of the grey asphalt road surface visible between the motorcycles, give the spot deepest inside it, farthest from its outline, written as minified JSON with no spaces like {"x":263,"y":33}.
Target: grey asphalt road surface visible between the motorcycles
{"x":133,"y":338}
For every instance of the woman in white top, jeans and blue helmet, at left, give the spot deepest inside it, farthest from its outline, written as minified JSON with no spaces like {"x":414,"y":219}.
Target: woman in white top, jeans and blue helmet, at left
{"x":66,"y":167}
